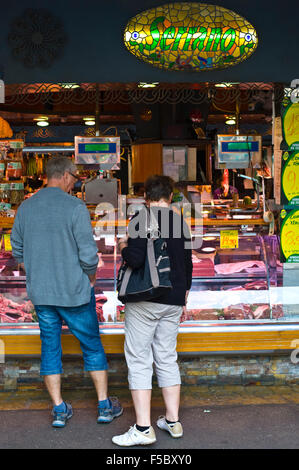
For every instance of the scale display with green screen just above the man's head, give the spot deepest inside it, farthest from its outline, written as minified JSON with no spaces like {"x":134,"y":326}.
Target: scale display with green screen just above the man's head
{"x":102,"y":151}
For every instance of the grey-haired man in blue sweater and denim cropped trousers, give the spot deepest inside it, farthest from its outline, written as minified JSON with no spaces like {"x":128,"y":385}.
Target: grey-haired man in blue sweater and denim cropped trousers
{"x":52,"y":239}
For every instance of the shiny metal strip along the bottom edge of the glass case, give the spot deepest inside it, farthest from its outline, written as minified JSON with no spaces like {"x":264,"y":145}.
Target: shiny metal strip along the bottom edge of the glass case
{"x":22,"y":329}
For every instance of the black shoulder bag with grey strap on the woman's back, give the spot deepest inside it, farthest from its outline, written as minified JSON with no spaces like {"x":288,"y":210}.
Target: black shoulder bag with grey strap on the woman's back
{"x":150,"y":280}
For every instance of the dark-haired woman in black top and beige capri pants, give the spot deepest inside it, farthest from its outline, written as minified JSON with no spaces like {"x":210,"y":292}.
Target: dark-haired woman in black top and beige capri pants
{"x":151,"y":328}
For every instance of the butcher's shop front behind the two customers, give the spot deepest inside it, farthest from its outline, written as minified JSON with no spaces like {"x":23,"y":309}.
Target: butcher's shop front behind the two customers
{"x":244,"y":303}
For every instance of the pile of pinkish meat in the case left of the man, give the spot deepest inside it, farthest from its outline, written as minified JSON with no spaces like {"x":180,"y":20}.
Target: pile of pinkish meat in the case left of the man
{"x":14,"y":312}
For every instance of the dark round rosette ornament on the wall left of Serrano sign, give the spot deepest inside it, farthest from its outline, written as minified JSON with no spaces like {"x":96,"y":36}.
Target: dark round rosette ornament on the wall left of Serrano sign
{"x":37,"y":38}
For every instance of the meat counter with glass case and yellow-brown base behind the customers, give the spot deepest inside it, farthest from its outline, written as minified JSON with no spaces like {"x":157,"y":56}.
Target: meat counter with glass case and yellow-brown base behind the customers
{"x":237,"y":302}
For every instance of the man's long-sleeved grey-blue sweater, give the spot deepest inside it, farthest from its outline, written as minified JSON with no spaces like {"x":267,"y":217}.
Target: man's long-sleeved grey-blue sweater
{"x":52,"y":236}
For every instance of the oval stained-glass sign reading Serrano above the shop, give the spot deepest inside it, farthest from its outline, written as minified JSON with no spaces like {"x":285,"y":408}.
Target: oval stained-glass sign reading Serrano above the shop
{"x":190,"y":36}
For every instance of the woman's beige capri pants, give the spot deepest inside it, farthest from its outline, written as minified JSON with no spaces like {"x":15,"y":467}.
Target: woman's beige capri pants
{"x":150,"y":337}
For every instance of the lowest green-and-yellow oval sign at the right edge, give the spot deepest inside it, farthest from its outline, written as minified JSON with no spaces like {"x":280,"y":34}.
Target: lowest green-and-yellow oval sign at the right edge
{"x":289,"y":235}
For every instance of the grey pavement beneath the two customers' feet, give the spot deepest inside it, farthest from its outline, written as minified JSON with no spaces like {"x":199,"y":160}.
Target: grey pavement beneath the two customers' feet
{"x":228,"y":417}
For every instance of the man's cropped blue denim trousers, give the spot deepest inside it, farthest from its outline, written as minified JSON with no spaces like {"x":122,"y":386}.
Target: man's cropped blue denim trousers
{"x":83,"y":323}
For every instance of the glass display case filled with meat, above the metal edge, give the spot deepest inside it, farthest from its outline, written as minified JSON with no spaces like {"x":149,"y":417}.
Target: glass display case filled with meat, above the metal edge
{"x":241,"y":284}
